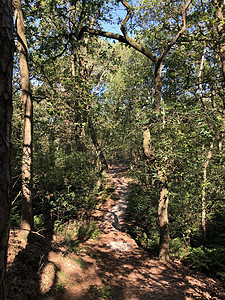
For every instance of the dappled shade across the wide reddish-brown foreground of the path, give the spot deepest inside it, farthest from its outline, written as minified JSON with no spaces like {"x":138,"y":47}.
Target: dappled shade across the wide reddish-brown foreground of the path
{"x":132,"y":275}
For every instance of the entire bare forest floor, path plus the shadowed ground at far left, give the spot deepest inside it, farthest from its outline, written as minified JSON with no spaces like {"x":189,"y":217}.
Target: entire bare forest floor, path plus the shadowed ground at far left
{"x":110,"y":267}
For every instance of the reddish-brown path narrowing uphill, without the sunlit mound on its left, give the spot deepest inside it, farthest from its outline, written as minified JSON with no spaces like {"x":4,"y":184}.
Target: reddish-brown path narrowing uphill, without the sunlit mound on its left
{"x":130,"y":272}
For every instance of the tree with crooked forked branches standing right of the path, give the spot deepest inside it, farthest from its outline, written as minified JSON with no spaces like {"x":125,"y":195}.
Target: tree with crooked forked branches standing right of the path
{"x":158,"y":62}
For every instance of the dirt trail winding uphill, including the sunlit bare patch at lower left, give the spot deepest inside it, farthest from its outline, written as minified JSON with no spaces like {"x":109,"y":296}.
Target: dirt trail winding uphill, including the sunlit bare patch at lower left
{"x":116,"y":261}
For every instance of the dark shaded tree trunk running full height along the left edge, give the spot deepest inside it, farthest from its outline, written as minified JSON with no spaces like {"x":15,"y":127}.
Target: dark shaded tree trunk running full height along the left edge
{"x":6,"y":64}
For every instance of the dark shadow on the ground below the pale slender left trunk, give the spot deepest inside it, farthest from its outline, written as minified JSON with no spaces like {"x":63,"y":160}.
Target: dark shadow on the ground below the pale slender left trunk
{"x":24,"y":276}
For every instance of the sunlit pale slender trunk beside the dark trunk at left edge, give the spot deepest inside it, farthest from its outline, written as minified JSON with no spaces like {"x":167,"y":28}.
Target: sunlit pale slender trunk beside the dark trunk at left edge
{"x":26,"y":205}
